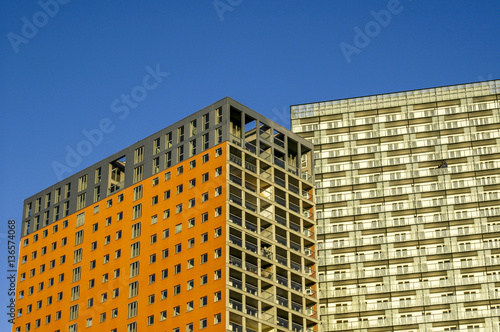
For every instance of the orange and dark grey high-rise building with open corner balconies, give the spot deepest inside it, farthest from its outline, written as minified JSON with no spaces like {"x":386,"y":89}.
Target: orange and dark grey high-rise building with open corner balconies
{"x":206,"y":225}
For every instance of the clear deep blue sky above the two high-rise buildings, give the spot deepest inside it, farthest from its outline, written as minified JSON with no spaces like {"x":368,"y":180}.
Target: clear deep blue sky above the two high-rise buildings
{"x":61,"y":72}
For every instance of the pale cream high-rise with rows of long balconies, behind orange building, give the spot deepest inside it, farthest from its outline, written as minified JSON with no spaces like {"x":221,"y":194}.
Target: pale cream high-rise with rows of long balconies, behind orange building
{"x":408,"y":208}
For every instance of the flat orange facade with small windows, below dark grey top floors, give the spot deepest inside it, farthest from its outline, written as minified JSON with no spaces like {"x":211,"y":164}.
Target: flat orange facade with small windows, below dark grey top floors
{"x":47,"y":275}
